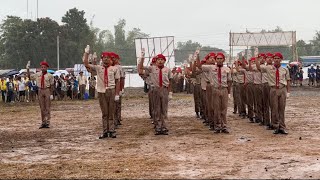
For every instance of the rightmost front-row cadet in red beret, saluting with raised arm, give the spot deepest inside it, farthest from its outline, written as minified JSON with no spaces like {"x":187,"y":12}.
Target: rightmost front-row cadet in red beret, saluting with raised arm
{"x":279,"y":81}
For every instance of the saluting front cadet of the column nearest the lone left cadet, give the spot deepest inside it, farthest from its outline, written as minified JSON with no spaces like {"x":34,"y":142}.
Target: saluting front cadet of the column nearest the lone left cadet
{"x":108,"y":87}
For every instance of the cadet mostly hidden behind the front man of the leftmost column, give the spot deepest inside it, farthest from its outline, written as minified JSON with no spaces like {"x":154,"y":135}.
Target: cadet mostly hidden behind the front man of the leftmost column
{"x":117,"y":115}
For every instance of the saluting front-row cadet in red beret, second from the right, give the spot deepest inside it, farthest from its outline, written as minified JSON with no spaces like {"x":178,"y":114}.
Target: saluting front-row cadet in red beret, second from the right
{"x":221,"y":92}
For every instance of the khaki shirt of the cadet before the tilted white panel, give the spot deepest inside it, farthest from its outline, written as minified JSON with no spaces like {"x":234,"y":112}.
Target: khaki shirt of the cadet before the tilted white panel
{"x":153,"y":72}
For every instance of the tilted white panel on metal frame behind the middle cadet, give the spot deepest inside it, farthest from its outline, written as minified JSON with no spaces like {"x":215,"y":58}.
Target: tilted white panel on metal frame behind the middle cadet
{"x":156,"y":45}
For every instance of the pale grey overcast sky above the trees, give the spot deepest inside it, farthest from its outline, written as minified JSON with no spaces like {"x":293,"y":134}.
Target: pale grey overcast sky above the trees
{"x":205,"y":21}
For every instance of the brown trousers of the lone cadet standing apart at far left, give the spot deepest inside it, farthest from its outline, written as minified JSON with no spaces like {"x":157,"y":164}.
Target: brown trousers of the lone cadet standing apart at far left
{"x":45,"y":103}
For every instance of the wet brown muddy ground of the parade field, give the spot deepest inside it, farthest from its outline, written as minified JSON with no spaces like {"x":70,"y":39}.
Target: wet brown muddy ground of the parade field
{"x":71,"y":148}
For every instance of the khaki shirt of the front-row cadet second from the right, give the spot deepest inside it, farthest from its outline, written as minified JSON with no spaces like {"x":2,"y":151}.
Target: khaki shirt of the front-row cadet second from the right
{"x":214,"y":70}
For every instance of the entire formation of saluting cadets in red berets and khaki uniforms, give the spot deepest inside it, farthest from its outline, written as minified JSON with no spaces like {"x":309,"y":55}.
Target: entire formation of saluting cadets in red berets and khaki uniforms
{"x":260,"y":87}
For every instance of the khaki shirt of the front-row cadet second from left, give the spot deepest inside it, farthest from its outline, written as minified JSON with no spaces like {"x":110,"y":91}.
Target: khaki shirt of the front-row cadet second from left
{"x":113,"y":74}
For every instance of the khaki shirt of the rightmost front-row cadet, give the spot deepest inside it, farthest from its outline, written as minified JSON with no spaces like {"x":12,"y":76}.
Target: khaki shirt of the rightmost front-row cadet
{"x":284,"y":75}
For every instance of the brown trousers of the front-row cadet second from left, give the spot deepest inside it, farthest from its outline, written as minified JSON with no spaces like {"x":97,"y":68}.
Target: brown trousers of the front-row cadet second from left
{"x":107,"y":105}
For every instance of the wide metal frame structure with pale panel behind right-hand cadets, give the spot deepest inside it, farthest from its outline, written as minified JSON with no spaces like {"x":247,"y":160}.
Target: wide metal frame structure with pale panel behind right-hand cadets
{"x":284,"y":38}
